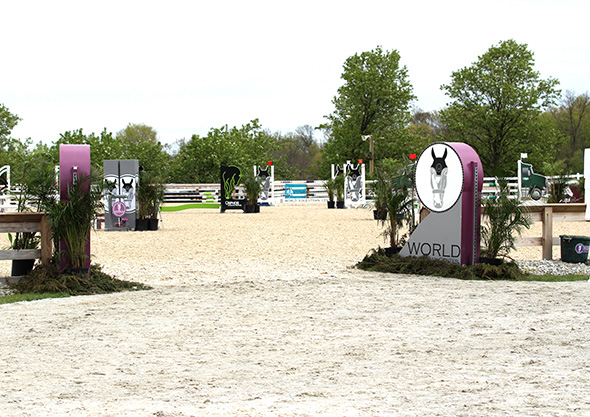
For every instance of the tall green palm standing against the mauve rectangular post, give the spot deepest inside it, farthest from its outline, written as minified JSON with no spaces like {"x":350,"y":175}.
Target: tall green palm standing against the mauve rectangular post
{"x":71,"y":221}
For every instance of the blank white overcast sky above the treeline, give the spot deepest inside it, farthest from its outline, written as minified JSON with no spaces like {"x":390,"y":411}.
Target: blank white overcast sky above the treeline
{"x":184,"y":67}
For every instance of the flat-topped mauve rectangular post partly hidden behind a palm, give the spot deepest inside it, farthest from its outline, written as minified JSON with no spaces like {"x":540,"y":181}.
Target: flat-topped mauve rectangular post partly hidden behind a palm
{"x":74,"y":164}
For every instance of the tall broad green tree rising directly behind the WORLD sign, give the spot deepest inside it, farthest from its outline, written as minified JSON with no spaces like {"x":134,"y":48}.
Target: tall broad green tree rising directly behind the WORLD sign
{"x":496,"y":106}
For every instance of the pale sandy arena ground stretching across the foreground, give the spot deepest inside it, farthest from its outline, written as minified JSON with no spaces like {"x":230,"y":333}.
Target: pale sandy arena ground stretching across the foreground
{"x":263,"y":315}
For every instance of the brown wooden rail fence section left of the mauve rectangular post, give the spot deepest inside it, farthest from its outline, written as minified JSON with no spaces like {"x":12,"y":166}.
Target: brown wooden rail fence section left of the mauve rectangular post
{"x":27,"y":222}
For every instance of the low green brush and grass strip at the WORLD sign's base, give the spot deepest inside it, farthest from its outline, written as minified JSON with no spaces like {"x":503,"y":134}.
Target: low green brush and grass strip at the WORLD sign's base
{"x":378,"y":261}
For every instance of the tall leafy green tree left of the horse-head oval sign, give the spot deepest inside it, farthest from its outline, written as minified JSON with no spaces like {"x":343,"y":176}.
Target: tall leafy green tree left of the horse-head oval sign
{"x":374,"y":100}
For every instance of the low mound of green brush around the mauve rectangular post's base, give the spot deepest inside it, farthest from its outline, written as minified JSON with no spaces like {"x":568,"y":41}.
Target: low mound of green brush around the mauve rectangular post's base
{"x":47,"y":279}
